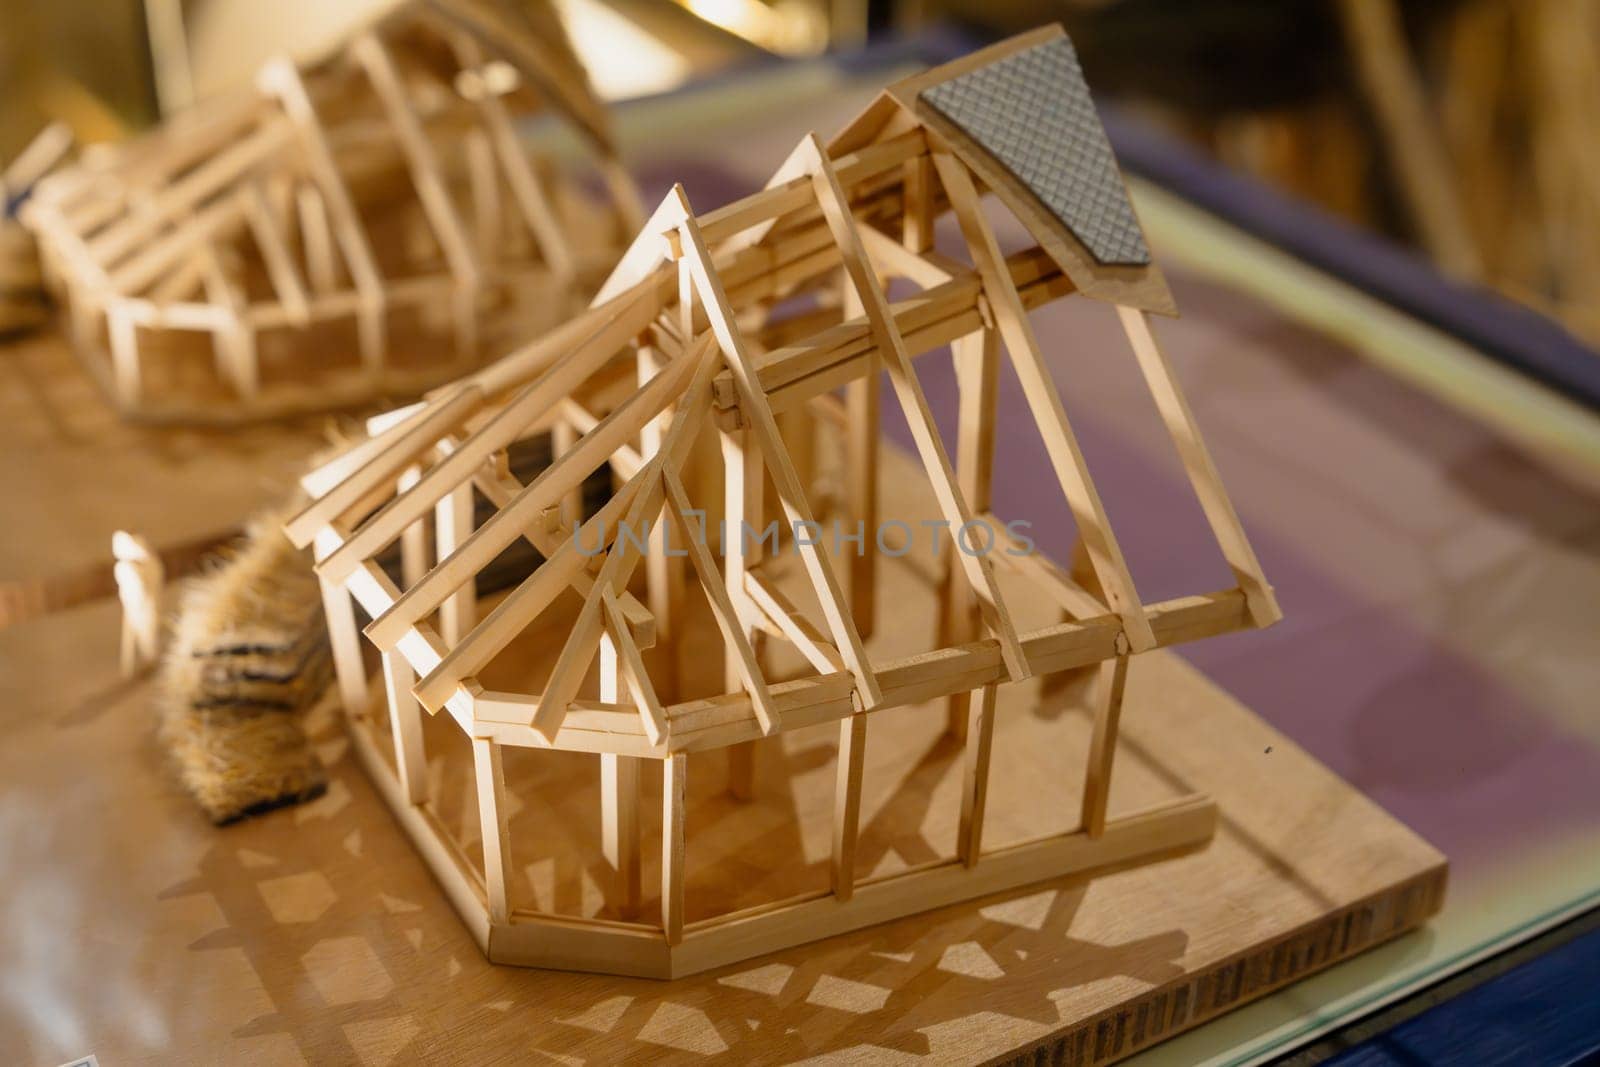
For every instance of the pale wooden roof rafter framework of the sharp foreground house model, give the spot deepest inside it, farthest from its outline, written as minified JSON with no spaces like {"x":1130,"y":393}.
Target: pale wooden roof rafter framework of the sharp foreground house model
{"x":857,"y":212}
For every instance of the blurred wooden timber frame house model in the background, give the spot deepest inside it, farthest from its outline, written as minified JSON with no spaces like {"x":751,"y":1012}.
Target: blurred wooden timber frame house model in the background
{"x":326,"y":238}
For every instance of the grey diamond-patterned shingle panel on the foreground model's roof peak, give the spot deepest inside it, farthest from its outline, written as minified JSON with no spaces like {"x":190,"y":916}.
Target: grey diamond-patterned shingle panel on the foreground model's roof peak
{"x":1034,"y":116}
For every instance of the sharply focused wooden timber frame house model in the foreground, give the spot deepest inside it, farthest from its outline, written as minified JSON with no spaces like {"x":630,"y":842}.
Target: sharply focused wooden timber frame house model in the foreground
{"x":690,"y":340}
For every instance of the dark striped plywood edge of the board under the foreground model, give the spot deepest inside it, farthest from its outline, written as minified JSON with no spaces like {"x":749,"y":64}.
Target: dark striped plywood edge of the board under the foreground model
{"x":1254,"y":973}
